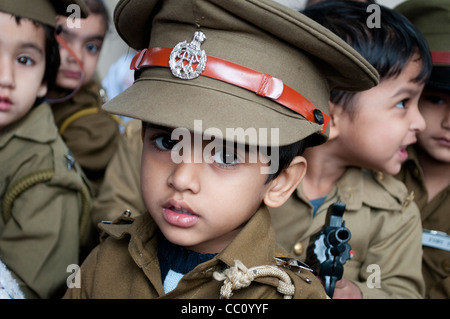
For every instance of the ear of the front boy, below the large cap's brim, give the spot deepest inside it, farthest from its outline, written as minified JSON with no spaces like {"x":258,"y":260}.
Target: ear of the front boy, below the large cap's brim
{"x":281,"y":188}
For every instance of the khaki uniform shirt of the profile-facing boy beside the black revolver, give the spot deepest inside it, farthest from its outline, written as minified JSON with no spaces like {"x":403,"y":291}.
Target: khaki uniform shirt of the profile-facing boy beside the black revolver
{"x":385,"y":231}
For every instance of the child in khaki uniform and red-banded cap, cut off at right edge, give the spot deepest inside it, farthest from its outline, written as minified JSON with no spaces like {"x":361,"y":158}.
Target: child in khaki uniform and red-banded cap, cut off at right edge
{"x":427,"y":170}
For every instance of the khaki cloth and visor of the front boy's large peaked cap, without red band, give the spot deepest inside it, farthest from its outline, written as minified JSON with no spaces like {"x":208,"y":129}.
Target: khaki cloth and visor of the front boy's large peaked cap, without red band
{"x":262,"y":35}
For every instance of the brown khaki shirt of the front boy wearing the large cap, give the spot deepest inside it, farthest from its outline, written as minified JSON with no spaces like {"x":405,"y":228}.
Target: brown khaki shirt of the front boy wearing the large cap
{"x":126,"y":265}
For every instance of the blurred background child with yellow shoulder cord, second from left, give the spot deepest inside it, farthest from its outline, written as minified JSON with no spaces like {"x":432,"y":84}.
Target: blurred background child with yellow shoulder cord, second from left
{"x":91,"y":134}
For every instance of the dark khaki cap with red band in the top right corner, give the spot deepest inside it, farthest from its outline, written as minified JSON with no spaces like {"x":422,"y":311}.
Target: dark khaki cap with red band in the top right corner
{"x":432,"y":17}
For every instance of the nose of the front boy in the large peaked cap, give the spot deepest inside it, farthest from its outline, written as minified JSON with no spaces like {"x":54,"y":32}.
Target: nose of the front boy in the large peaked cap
{"x":186,"y":177}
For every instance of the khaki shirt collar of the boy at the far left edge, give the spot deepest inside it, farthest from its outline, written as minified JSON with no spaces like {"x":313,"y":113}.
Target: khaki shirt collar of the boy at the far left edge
{"x":37,"y":125}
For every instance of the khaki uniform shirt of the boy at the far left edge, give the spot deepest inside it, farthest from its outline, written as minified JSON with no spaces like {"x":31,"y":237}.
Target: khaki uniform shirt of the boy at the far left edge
{"x":41,"y":237}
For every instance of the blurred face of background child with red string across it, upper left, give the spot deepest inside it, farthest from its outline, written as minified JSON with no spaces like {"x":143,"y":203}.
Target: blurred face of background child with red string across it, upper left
{"x":86,"y":42}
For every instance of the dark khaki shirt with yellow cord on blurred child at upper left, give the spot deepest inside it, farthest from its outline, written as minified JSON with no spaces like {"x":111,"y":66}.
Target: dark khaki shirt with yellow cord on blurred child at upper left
{"x":93,"y":137}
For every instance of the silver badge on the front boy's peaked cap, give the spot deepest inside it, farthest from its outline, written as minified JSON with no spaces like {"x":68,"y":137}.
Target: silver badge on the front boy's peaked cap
{"x":187,"y":61}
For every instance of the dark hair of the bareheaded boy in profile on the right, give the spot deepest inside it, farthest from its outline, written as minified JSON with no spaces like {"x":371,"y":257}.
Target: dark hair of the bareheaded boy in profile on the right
{"x":388,"y":48}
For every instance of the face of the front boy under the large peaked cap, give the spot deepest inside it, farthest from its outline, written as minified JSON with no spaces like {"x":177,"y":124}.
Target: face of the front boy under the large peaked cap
{"x":199,"y":205}
